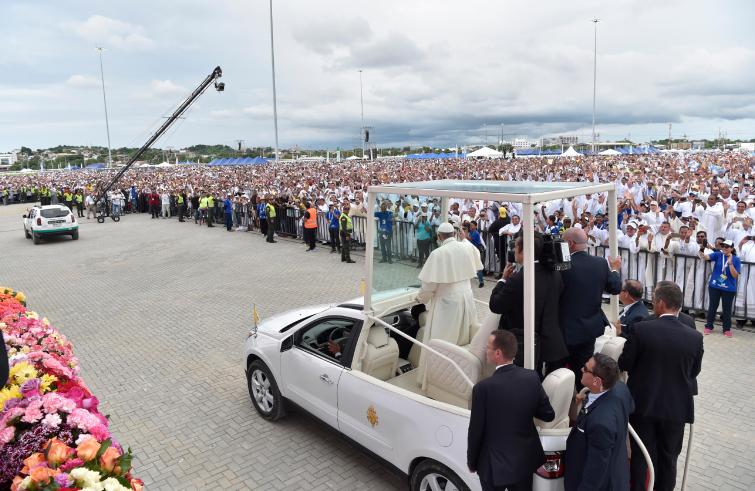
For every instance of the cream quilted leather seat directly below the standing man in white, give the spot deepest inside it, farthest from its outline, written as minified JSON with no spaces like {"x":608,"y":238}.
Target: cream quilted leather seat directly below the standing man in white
{"x":445,"y":383}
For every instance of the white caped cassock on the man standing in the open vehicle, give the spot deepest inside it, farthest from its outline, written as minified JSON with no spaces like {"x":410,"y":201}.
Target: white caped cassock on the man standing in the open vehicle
{"x":447,"y":292}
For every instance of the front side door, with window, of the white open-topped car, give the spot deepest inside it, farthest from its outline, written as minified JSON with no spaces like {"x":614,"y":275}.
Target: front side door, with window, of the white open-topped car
{"x":311,"y":372}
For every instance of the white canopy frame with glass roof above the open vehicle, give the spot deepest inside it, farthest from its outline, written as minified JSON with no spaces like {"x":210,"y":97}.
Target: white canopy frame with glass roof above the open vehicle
{"x":527,"y":193}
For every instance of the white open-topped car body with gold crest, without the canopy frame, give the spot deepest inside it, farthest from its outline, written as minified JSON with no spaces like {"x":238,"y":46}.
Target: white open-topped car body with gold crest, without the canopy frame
{"x":358,"y":374}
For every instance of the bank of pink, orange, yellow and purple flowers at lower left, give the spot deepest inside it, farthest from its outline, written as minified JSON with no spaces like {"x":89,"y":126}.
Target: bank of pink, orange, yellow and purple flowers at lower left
{"x":52,"y":435}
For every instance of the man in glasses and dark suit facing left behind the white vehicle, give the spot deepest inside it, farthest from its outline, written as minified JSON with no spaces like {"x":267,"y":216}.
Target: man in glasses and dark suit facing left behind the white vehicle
{"x":596,"y":450}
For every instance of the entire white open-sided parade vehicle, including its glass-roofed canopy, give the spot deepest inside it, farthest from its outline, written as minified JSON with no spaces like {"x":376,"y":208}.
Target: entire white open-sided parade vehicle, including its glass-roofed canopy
{"x":356,"y":365}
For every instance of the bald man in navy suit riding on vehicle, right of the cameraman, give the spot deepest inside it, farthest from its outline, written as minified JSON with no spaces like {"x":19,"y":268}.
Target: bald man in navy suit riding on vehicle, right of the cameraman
{"x":580,"y":309}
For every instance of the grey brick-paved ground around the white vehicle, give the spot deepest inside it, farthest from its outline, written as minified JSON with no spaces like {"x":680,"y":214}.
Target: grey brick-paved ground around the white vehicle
{"x":158,"y":312}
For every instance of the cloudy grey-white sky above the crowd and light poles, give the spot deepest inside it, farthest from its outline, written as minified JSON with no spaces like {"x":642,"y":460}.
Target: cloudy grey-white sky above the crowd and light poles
{"x":435,"y":72}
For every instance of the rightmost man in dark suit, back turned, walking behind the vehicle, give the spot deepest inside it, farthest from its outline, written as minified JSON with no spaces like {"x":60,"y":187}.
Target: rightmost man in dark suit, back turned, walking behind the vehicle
{"x":663,"y":358}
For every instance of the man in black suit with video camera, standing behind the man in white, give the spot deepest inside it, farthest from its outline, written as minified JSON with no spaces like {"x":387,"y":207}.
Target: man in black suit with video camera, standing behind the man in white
{"x":507,"y":299}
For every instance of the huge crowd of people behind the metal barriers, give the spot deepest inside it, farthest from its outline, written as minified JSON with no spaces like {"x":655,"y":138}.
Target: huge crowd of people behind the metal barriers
{"x":670,"y":208}
